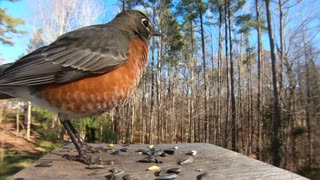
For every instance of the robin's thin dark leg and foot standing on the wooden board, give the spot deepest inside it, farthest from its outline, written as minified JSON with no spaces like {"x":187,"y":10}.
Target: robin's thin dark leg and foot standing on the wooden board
{"x":82,"y":155}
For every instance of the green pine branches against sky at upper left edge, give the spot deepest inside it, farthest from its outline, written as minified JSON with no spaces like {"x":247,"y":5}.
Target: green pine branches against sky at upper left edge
{"x":8,"y":27}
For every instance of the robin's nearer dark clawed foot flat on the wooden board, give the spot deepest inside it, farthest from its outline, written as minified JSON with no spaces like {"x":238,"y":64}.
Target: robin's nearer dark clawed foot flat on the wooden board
{"x":84,"y":158}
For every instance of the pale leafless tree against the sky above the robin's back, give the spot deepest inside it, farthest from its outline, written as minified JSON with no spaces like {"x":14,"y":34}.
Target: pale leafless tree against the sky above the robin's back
{"x":59,"y":16}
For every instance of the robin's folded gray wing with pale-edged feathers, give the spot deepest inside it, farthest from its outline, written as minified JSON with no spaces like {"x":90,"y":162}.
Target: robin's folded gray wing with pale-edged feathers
{"x":78,"y":54}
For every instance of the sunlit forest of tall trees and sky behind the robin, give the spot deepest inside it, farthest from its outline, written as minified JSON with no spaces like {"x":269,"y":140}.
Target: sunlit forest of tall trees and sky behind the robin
{"x":241,"y":74}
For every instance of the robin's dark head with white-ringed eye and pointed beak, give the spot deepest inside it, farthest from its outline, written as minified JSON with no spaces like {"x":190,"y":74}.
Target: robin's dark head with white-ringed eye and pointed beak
{"x":136,"y":22}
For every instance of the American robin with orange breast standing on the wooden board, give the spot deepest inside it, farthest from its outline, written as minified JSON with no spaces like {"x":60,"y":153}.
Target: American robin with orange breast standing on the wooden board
{"x":84,"y":72}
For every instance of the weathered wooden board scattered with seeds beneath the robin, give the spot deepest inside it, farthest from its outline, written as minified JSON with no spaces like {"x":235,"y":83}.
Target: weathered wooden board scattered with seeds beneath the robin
{"x":214,"y":161}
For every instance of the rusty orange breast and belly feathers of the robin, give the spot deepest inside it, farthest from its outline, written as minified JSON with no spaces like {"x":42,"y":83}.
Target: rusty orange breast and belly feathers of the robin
{"x":98,"y":94}
